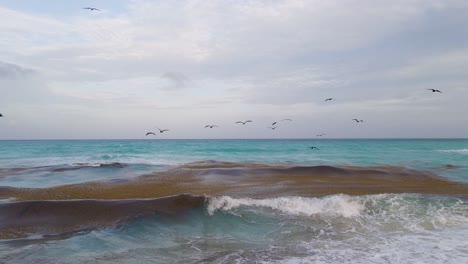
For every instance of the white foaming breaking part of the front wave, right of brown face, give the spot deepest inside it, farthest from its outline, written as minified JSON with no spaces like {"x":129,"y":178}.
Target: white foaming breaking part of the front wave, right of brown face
{"x":397,"y":212}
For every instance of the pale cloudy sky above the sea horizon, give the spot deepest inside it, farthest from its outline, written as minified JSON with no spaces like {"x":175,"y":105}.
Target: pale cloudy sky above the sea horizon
{"x":71,"y":73}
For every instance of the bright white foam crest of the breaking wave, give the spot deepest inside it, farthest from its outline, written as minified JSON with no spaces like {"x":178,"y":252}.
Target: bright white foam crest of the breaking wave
{"x":335,"y":205}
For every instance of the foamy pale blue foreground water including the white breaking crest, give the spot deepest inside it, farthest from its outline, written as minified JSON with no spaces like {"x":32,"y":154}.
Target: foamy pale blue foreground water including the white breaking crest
{"x":404,"y":228}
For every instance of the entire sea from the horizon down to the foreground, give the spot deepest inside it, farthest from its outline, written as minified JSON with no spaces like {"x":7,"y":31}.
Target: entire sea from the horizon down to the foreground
{"x":234,"y":201}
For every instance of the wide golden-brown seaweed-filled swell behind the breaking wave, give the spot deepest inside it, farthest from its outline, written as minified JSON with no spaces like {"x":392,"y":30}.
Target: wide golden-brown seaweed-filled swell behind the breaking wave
{"x":251,"y":180}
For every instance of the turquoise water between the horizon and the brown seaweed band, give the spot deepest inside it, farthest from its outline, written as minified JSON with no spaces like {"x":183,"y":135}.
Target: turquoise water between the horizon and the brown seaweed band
{"x":144,"y":156}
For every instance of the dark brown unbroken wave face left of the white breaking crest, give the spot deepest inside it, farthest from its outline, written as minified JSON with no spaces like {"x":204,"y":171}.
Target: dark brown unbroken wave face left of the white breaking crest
{"x":56,"y":218}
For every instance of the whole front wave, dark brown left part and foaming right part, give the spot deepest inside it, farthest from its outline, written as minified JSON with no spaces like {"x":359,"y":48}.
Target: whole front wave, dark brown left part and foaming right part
{"x":344,"y":213}
